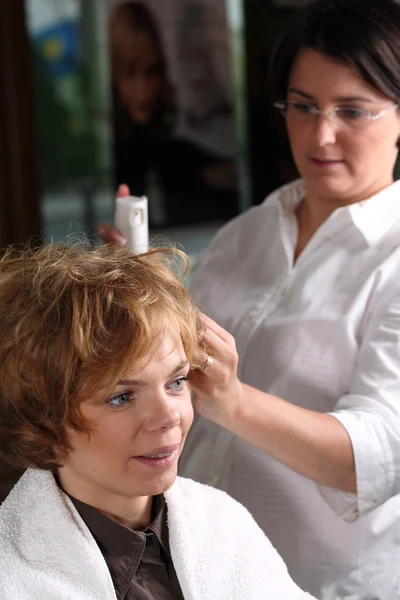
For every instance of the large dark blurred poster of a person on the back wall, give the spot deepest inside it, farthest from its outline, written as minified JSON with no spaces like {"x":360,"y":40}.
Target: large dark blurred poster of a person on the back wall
{"x":173,"y":108}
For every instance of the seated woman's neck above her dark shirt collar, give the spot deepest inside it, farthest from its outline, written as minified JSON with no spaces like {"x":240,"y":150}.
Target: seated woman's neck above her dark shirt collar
{"x":133,"y":512}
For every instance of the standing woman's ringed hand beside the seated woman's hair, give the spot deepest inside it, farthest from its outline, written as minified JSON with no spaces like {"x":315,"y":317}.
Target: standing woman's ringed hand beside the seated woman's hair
{"x":218,"y":391}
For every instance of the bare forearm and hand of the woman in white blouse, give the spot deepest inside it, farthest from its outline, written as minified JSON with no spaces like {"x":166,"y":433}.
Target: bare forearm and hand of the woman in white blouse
{"x":313,"y":444}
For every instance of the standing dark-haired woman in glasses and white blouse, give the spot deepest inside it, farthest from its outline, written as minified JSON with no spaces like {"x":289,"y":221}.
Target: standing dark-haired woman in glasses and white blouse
{"x":308,"y":285}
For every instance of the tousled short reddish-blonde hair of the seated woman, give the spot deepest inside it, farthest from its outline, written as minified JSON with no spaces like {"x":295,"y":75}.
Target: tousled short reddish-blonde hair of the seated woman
{"x":73,"y":319}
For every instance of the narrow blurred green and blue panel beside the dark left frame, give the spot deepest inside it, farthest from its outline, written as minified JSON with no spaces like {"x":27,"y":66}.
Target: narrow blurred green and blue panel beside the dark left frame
{"x":59,"y":83}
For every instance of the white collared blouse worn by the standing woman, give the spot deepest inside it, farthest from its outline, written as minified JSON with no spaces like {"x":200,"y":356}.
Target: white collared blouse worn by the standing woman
{"x":323,"y":333}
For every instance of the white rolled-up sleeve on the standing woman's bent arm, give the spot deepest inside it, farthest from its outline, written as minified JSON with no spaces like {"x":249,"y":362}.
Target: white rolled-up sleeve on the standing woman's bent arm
{"x":370,"y":412}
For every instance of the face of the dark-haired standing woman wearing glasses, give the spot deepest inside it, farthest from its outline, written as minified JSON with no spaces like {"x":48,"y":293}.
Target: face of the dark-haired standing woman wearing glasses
{"x":340,"y":162}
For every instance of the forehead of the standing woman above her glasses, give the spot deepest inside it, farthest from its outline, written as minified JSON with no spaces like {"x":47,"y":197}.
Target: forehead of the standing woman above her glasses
{"x":322,"y":77}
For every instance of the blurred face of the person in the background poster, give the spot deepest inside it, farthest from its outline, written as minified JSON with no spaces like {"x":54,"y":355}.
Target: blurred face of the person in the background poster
{"x":136,"y":71}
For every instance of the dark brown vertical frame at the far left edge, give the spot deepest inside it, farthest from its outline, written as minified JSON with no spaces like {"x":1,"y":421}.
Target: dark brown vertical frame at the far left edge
{"x":19,"y":180}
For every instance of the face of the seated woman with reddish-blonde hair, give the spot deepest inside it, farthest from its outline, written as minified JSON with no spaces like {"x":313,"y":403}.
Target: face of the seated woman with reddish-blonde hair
{"x":138,"y":431}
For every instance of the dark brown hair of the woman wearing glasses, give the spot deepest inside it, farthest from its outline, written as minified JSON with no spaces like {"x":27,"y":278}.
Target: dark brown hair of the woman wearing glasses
{"x":362,"y":34}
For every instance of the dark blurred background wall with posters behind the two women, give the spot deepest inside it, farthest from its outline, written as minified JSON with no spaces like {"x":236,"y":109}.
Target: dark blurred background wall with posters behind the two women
{"x":168,"y":96}
